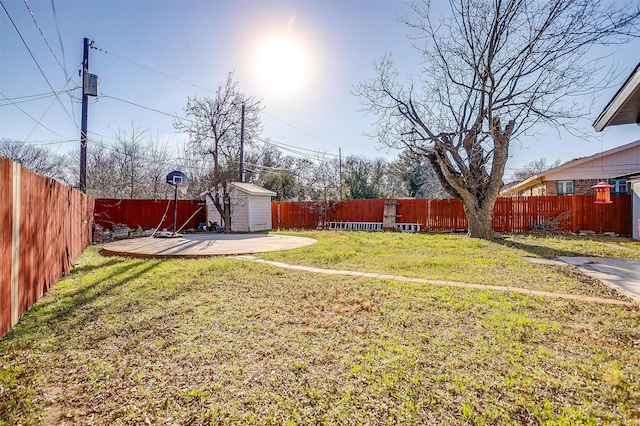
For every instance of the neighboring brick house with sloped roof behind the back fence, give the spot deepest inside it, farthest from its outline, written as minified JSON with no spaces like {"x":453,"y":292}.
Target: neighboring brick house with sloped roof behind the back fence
{"x":577,"y":177}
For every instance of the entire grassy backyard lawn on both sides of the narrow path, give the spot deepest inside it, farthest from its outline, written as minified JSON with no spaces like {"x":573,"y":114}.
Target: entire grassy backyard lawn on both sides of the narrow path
{"x":230,"y":341}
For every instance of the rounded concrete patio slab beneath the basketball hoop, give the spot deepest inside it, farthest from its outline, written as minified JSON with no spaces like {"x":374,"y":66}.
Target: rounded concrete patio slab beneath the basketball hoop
{"x":204,"y":245}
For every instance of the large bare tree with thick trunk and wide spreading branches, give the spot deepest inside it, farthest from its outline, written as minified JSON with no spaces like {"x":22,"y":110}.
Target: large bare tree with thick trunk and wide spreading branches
{"x":493,"y":70}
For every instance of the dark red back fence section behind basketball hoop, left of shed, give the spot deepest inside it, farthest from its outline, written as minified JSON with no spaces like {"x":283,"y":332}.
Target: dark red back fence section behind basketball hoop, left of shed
{"x":148,"y":213}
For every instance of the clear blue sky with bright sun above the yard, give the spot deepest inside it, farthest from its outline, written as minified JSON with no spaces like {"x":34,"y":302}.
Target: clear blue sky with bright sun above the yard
{"x":151,"y":55}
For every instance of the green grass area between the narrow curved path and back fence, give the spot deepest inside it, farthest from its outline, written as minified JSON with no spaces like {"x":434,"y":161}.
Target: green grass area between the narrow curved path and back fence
{"x":455,"y":257}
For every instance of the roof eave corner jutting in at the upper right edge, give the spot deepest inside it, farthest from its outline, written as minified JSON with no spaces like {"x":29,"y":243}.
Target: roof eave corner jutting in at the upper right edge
{"x":624,"y":107}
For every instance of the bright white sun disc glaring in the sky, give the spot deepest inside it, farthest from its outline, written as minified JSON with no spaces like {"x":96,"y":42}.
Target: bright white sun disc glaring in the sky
{"x":282,"y":65}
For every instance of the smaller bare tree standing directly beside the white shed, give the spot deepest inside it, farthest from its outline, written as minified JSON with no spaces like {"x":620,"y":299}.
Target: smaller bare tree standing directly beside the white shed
{"x":213,"y":125}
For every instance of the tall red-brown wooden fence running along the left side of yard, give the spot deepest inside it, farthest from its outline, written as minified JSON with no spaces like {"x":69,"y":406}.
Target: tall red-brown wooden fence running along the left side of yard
{"x":44,"y":227}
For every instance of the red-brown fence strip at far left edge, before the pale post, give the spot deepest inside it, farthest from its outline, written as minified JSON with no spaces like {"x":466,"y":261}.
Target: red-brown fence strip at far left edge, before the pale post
{"x":6,"y":223}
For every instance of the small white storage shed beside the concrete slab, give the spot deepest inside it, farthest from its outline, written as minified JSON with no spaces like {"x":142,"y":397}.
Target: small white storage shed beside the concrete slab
{"x":250,"y":208}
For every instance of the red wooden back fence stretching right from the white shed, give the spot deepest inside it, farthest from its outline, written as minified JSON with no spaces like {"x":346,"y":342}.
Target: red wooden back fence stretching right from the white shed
{"x":518,"y":214}
